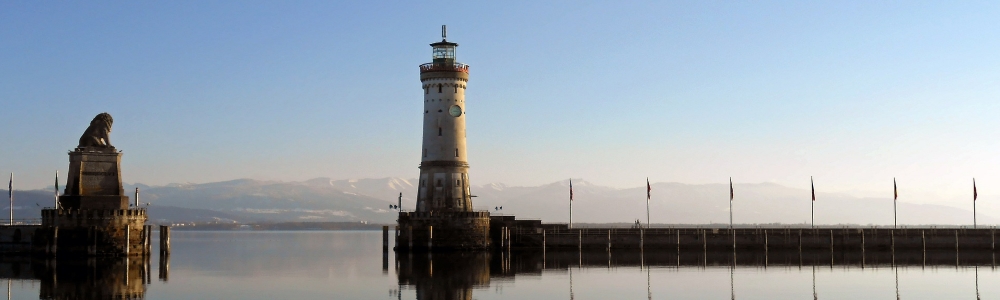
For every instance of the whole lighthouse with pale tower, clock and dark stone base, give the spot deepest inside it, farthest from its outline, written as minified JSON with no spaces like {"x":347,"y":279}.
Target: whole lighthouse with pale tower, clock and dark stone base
{"x":444,"y":218}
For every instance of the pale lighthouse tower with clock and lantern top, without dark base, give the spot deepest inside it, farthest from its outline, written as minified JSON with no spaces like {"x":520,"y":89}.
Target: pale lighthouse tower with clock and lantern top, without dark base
{"x":444,"y":168}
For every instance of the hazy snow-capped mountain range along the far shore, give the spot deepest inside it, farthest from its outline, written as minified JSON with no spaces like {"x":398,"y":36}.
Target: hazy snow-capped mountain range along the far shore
{"x":369,"y":200}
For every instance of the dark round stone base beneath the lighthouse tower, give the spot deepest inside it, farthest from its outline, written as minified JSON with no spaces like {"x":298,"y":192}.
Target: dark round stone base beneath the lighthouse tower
{"x":443,"y":231}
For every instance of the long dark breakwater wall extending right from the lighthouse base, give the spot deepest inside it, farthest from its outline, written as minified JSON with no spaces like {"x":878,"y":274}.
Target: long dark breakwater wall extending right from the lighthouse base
{"x":559,"y":236}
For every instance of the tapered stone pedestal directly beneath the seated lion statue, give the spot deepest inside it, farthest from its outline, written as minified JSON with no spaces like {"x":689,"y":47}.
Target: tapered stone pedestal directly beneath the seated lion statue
{"x":94,"y":180}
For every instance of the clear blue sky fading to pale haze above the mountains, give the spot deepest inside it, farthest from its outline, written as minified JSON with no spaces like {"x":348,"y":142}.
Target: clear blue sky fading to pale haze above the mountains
{"x":851,"y":93}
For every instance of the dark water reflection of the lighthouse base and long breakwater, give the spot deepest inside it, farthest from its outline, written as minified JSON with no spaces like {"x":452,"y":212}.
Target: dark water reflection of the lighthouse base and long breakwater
{"x":456,"y":275}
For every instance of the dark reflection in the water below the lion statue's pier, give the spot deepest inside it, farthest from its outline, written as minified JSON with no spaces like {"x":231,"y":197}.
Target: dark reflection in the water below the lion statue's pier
{"x":93,"y":278}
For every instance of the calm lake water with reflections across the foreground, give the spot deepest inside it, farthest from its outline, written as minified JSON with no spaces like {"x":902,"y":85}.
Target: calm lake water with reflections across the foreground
{"x":350,"y":265}
